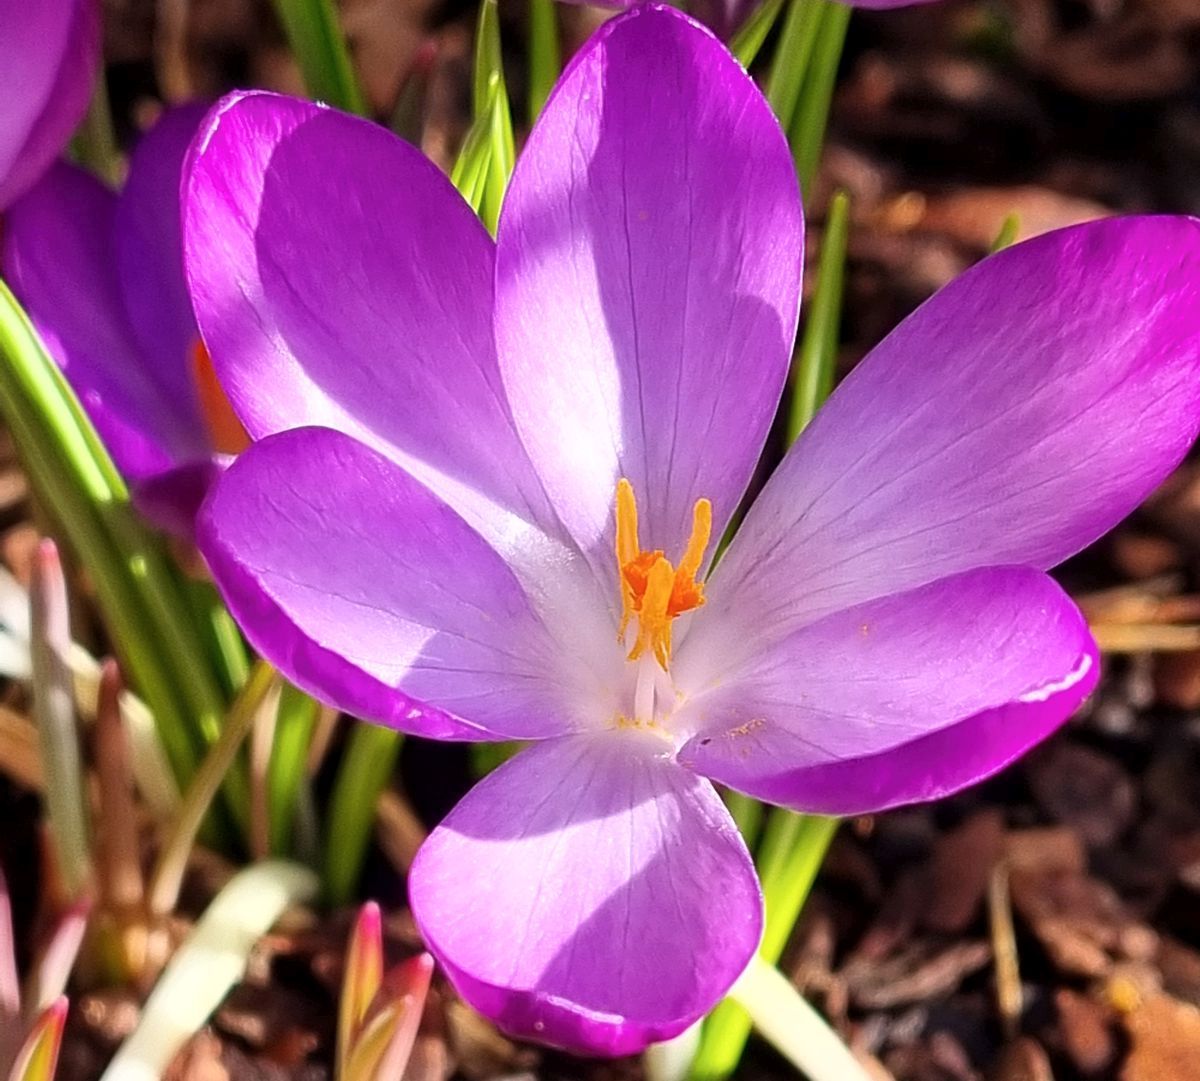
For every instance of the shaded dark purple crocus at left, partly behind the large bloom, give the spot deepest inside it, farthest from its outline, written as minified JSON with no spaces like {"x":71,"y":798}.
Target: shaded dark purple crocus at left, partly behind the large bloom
{"x":103,"y":279}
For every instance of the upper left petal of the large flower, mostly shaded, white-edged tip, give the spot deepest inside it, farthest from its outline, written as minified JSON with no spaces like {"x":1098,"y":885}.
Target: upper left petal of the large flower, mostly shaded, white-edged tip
{"x":341,"y":281}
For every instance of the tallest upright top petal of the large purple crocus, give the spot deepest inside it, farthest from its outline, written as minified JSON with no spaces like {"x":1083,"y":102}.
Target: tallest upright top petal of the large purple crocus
{"x":649,"y":274}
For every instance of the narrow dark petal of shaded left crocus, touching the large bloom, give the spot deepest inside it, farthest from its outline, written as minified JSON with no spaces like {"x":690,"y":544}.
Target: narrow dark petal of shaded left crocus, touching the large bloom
{"x":149,"y":254}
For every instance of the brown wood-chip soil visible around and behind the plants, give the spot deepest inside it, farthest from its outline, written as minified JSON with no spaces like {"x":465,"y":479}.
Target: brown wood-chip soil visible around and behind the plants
{"x":1043,"y":926}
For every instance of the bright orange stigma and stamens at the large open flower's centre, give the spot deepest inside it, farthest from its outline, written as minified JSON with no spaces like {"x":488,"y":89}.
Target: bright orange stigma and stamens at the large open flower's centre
{"x":652,"y":591}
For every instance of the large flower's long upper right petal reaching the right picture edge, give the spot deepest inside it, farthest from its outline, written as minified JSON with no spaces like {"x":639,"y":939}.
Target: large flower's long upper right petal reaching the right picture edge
{"x":1013,"y":419}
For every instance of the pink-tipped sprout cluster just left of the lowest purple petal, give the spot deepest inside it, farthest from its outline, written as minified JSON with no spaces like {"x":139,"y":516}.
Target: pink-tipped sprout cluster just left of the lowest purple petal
{"x":379,"y":1014}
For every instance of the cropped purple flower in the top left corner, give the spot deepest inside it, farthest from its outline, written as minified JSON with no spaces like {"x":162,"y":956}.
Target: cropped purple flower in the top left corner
{"x":50,"y":52}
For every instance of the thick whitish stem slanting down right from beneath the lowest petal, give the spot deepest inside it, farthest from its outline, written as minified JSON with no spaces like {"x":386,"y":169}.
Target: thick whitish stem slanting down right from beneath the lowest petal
{"x":794,"y":1029}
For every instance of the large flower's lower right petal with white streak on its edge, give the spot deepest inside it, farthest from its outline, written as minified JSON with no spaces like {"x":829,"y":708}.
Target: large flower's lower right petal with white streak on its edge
{"x":899,"y":700}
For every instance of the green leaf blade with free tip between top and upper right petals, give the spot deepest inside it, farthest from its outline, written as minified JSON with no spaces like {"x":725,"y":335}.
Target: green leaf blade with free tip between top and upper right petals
{"x":818,"y":357}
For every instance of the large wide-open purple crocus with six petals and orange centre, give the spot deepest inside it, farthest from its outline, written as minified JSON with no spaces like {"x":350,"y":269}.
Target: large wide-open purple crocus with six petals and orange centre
{"x":489,"y":477}
